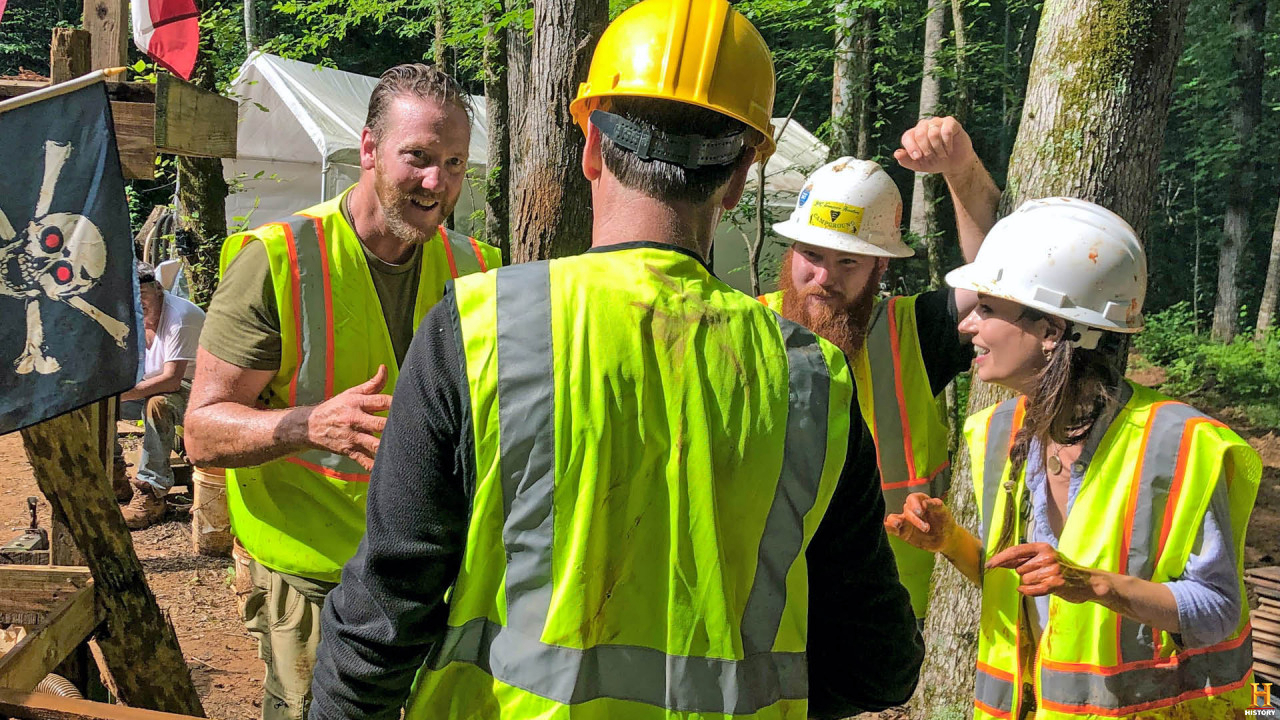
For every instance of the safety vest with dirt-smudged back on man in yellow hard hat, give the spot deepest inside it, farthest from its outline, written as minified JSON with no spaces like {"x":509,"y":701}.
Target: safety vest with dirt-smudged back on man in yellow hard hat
{"x":655,"y":453}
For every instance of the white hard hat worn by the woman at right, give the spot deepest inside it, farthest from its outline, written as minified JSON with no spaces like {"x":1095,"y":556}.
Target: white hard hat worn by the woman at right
{"x":1067,"y":258}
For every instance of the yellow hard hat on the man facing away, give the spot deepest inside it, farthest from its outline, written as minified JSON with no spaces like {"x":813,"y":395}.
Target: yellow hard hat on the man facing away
{"x":698,"y":52}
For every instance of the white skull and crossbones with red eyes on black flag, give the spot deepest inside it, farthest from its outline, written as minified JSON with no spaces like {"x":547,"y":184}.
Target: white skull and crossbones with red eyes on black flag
{"x":58,"y":257}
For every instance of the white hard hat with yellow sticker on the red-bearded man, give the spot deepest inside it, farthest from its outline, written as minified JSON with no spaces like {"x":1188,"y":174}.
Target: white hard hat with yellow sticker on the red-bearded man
{"x":849,"y":206}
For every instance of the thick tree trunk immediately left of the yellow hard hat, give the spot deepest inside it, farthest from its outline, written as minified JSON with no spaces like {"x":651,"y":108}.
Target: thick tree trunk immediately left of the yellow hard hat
{"x":552,"y":213}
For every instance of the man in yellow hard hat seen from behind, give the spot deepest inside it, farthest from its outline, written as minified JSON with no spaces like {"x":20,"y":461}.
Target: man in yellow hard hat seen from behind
{"x":602,"y":486}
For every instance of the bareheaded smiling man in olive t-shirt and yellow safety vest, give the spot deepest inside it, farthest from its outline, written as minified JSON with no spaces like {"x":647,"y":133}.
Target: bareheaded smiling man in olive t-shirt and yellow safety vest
{"x":300,"y":354}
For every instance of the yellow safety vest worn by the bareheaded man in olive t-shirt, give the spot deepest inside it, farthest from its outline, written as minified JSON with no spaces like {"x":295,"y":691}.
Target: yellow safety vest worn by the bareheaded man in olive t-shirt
{"x":305,"y":514}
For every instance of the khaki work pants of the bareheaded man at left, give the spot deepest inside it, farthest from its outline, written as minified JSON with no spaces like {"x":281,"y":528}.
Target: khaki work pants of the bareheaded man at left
{"x":285,"y":617}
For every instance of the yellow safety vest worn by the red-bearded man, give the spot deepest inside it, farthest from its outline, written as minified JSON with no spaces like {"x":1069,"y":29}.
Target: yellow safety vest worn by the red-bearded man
{"x":907,"y":423}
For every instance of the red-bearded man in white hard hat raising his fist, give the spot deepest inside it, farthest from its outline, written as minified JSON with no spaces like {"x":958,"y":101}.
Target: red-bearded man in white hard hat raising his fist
{"x":903,"y":350}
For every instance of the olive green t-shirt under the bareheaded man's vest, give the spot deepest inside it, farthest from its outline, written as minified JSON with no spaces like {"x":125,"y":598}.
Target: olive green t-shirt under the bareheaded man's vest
{"x":243,"y":325}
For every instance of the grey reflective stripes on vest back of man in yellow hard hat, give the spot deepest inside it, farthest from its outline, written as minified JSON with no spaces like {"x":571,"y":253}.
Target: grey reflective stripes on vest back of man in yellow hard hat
{"x":516,"y":657}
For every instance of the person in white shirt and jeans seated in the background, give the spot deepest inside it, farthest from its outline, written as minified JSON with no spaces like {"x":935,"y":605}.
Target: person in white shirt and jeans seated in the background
{"x":173,"y":329}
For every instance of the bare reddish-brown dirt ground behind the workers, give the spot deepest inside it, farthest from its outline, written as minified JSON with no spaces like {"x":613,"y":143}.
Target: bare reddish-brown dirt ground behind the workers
{"x":199,"y":594}
